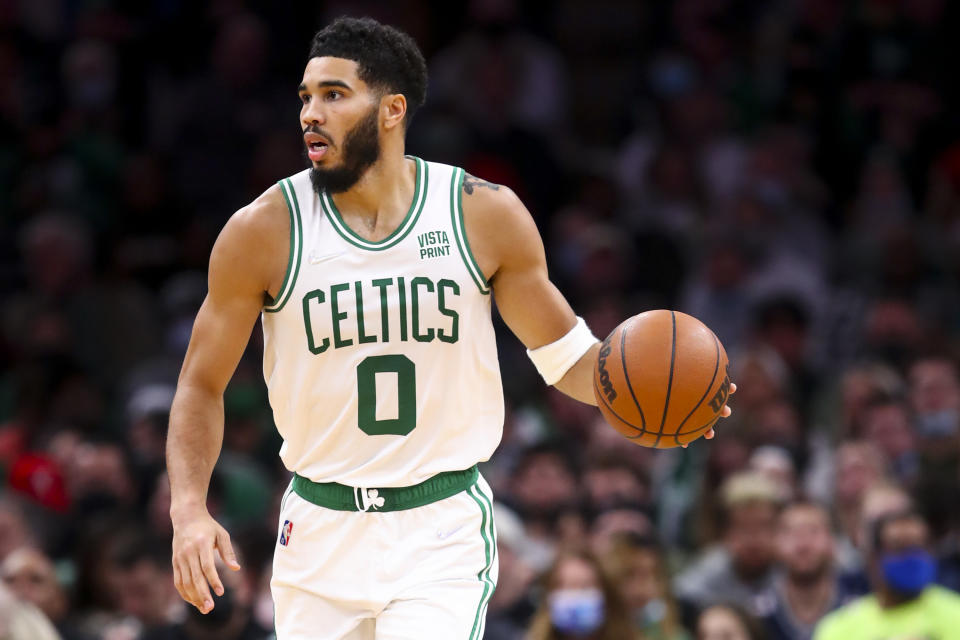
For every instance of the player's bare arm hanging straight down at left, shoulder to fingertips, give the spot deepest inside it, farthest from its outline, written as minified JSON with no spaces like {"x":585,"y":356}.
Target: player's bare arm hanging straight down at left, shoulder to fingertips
{"x":242,"y":267}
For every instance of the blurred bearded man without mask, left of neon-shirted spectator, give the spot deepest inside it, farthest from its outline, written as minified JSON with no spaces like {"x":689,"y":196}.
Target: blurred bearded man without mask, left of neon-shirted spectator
{"x":807,"y":585}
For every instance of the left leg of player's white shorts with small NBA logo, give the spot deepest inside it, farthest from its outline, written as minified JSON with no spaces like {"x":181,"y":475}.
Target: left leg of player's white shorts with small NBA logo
{"x":318,"y":591}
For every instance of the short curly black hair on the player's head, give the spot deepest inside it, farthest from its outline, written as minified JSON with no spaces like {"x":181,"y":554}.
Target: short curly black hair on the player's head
{"x":387,"y":59}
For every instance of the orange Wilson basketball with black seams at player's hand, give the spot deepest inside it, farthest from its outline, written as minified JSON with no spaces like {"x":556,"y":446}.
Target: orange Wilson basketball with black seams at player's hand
{"x":661,"y":378}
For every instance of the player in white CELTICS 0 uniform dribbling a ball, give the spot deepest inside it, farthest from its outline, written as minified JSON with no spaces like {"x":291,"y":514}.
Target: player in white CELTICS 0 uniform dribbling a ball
{"x":373,"y":273}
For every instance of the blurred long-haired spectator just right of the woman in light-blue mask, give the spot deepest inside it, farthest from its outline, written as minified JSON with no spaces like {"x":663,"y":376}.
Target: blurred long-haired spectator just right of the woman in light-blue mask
{"x":637,"y":564}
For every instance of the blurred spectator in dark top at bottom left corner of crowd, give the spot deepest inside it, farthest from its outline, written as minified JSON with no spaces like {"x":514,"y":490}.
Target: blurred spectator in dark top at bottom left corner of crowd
{"x":32,"y":578}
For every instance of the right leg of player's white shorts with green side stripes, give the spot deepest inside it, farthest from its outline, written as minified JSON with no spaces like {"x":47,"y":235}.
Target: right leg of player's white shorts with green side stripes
{"x":451,"y":558}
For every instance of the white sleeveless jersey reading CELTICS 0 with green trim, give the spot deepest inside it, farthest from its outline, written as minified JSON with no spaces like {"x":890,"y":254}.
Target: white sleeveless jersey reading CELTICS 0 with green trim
{"x":380,"y":357}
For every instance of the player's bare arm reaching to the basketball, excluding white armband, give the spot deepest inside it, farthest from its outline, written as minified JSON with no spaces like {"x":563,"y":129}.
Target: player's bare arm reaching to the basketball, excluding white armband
{"x":508,"y":248}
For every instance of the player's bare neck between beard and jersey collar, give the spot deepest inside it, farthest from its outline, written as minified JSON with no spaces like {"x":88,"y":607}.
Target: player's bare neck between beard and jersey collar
{"x":387,"y":187}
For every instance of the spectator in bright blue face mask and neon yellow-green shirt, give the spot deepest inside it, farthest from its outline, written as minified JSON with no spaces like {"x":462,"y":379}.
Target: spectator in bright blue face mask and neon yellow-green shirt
{"x":905,"y":603}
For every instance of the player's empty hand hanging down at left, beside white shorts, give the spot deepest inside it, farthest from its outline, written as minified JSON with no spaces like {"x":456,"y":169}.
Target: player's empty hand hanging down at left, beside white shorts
{"x":195,"y":536}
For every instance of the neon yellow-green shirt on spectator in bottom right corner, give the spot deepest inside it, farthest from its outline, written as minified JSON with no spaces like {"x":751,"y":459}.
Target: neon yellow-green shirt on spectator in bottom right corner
{"x":935,"y":615}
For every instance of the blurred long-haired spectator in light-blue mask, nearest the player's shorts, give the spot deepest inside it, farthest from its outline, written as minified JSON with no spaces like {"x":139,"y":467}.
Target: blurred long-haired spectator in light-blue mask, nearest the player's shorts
{"x":580,"y":603}
